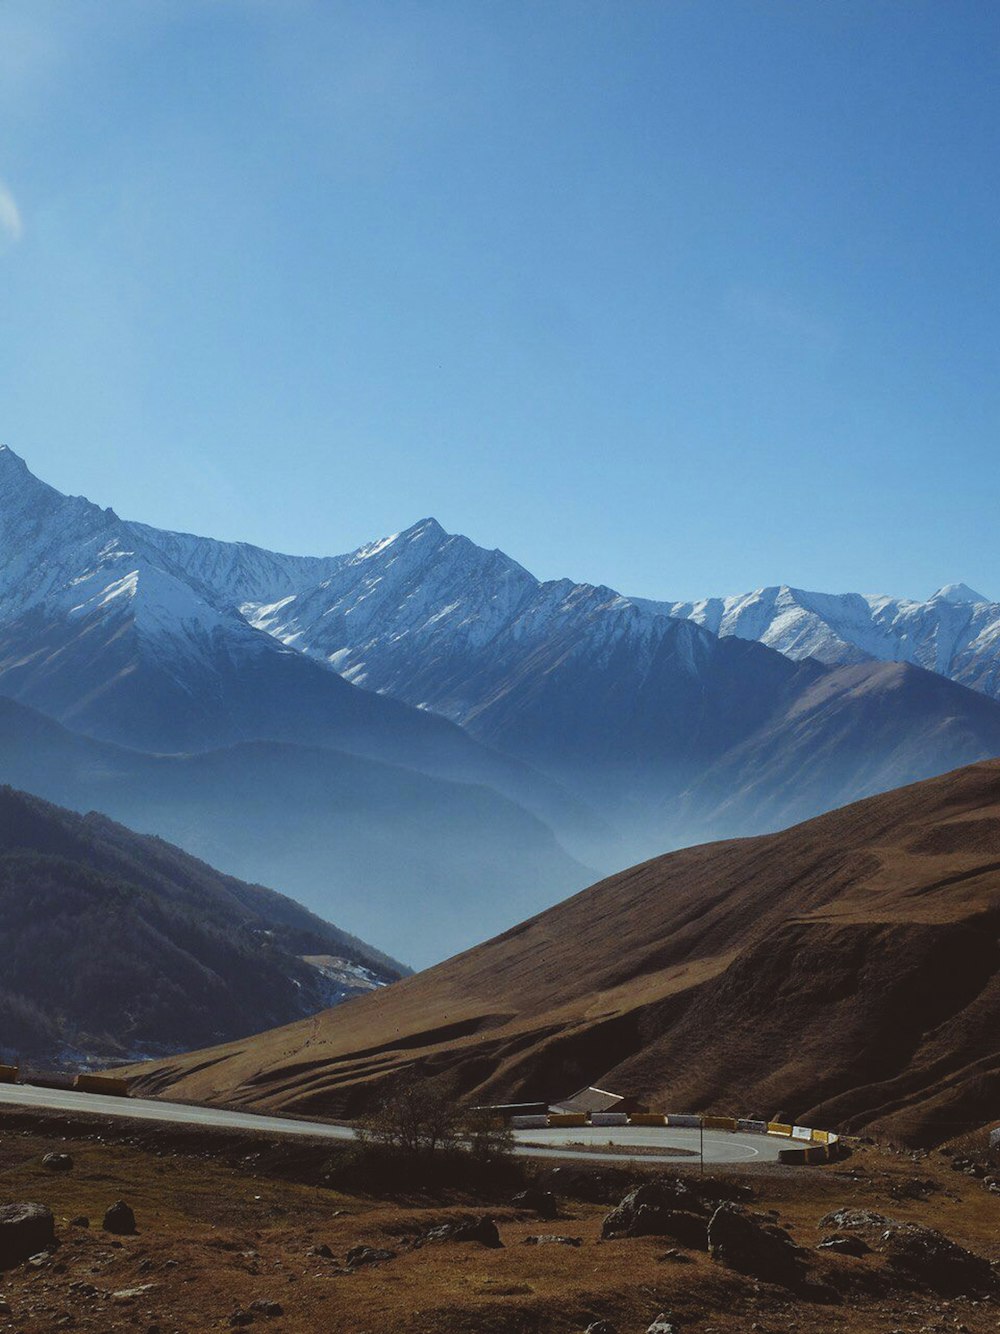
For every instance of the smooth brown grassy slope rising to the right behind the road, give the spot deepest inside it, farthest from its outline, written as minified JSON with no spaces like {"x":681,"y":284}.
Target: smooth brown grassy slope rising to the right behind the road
{"x":846,"y":972}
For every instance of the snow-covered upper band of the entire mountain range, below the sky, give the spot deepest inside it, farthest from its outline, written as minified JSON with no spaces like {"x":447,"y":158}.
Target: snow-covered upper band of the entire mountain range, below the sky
{"x":429,"y":617}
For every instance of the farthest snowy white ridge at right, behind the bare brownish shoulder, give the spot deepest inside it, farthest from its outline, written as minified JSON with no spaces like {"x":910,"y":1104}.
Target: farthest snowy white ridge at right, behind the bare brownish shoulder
{"x":957,"y":633}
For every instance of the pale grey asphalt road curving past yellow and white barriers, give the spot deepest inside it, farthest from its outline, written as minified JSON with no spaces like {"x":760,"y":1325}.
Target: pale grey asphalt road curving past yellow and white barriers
{"x":721,"y":1147}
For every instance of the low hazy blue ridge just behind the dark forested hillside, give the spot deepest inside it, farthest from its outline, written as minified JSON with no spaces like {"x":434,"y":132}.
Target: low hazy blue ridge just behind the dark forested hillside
{"x":419,"y":865}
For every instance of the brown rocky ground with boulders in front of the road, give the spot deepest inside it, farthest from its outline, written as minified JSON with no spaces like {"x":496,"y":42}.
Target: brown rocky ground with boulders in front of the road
{"x":237,"y":1233}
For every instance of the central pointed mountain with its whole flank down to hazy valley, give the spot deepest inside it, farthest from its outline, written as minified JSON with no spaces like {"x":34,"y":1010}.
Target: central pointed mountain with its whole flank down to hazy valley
{"x":661,"y":722}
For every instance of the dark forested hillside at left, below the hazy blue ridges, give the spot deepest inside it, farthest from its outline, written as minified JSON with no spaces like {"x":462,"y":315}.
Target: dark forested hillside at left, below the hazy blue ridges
{"x":118,"y":946}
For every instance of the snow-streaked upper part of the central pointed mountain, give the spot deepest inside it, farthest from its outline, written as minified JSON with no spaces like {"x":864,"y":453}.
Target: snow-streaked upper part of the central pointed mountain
{"x":437,"y":621}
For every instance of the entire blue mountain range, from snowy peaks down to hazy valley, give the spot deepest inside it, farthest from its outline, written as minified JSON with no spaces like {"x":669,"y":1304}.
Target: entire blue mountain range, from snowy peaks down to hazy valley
{"x":423,"y":741}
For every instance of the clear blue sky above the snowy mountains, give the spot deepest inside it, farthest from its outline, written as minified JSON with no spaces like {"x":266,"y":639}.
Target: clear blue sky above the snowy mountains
{"x":685,"y":297}
